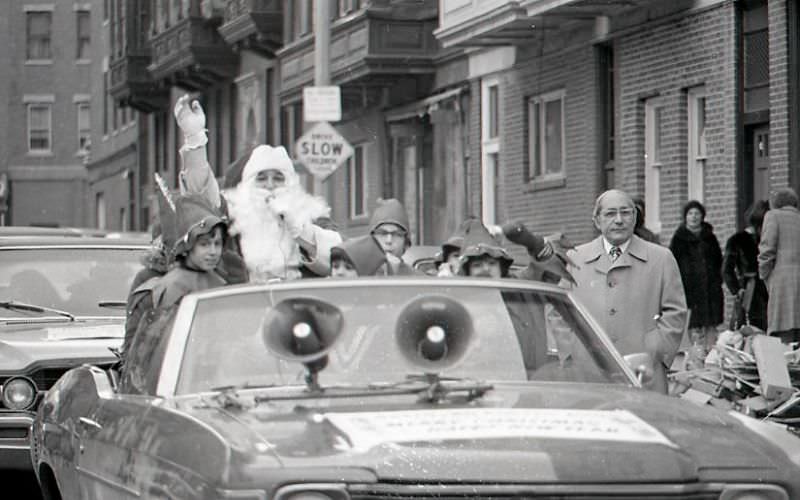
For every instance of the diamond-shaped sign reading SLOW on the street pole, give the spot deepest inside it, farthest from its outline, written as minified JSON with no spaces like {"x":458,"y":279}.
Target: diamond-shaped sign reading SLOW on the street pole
{"x":322,"y":150}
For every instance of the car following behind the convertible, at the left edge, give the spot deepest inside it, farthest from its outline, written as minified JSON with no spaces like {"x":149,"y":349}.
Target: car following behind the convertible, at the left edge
{"x":62,"y":303}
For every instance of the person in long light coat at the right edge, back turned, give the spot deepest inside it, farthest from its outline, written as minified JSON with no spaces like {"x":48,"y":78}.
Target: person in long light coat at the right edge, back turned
{"x":779,"y":264}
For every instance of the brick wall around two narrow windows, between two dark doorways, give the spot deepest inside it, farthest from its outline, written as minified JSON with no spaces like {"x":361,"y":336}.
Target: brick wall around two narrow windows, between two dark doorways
{"x":665,"y":60}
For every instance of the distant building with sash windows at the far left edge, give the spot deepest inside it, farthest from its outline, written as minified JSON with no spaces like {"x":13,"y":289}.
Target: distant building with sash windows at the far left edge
{"x":45,"y":103}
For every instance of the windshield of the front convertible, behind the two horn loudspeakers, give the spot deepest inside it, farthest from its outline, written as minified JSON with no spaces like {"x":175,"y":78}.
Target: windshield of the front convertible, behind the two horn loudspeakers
{"x":517,"y":335}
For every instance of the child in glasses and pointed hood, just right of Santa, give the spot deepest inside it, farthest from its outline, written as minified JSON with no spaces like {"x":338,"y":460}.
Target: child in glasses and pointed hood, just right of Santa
{"x":389,"y":226}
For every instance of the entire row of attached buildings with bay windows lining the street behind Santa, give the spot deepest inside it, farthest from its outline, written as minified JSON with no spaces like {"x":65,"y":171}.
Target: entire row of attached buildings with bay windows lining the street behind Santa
{"x":522,"y":110}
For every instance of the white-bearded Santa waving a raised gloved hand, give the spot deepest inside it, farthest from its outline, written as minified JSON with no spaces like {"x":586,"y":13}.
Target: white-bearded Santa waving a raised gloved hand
{"x":273,"y":217}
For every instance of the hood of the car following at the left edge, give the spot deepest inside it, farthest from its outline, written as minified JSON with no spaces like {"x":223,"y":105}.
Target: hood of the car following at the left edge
{"x":84,"y":340}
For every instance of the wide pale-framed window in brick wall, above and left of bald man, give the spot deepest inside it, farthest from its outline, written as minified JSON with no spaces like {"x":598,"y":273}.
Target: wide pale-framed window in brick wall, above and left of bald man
{"x":546,"y":136}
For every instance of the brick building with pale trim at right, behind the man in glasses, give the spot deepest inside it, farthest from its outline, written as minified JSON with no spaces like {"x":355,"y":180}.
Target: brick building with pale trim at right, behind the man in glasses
{"x":670,"y":101}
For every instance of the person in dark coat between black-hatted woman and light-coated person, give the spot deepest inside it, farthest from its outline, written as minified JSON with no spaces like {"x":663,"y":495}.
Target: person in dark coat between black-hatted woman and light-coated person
{"x":740,"y":270}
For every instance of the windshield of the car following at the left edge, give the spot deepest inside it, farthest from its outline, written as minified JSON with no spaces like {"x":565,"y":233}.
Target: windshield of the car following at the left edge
{"x":75,"y":280}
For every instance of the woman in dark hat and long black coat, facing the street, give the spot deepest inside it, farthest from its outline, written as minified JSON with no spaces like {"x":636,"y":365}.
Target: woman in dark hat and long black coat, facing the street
{"x":699,"y":258}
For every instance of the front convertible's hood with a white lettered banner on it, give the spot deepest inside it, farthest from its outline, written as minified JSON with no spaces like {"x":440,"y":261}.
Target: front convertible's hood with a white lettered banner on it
{"x":541,"y":433}
